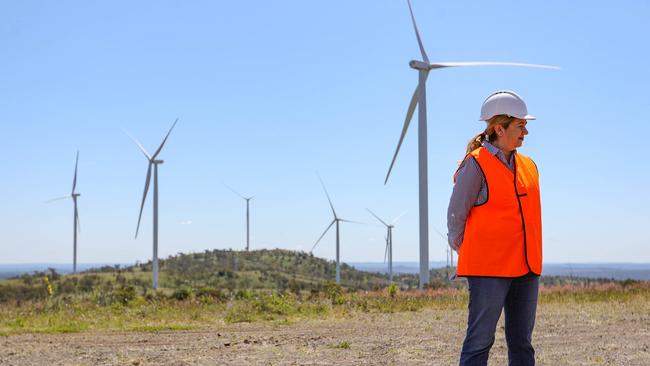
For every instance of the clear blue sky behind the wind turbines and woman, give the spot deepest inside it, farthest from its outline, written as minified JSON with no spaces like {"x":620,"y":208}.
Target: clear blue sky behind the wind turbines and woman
{"x":269,"y":93}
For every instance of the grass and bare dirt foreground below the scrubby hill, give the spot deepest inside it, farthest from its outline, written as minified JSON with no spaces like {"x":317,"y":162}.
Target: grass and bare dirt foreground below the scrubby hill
{"x":597,"y":324}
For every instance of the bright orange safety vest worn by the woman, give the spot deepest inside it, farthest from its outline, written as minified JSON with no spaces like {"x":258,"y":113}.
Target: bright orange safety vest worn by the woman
{"x":503,"y":236}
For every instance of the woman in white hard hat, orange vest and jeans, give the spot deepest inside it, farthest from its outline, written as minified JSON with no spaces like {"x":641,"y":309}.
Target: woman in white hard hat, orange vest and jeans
{"x":494,"y":223}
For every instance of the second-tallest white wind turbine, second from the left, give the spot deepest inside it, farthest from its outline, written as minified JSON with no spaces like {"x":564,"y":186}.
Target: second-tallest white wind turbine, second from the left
{"x":153,"y":162}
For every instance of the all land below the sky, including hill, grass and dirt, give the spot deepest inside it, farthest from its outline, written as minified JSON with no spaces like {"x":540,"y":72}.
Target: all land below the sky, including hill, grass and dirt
{"x":278,"y":308}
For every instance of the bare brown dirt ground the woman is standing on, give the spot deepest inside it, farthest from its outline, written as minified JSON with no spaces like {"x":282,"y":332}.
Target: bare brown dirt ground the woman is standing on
{"x":604,"y":333}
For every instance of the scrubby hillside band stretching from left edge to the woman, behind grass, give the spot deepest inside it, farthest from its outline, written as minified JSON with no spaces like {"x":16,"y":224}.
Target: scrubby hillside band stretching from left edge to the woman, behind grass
{"x":223,"y":271}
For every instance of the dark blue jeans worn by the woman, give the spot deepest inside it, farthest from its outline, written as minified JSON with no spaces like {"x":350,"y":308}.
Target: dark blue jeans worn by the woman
{"x":487,"y":297}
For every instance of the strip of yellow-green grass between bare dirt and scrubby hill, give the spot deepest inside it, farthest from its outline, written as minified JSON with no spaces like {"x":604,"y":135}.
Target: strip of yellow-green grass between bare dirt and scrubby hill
{"x":187,"y":310}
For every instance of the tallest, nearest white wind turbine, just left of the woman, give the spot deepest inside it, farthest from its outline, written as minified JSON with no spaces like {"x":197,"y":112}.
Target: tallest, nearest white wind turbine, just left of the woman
{"x":419,"y":99}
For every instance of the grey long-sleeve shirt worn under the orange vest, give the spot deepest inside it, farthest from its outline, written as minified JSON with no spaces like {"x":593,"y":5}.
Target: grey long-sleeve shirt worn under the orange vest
{"x":470,"y":190}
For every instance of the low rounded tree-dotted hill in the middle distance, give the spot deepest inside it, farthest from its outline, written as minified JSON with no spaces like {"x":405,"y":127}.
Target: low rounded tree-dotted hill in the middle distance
{"x":262,"y":269}
